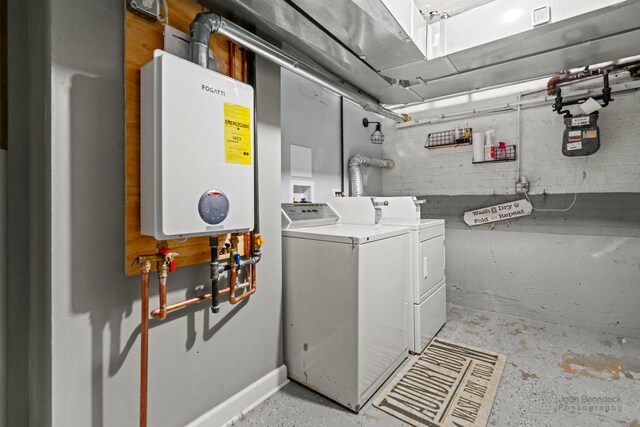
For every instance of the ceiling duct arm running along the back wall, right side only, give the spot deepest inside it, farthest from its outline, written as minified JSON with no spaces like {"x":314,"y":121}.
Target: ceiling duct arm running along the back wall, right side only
{"x":497,"y":43}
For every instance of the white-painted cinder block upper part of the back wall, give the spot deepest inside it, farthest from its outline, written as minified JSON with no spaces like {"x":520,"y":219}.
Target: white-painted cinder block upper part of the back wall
{"x":429,"y":172}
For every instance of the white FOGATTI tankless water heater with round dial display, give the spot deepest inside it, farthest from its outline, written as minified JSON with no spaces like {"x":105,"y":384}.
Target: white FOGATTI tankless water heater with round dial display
{"x":196,"y":148}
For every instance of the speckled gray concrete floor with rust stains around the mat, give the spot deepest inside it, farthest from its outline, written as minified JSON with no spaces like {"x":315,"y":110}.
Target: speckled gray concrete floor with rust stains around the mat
{"x":548,"y":368}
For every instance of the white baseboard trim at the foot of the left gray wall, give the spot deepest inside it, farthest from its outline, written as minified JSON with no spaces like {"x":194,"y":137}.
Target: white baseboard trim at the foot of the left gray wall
{"x":234,"y":408}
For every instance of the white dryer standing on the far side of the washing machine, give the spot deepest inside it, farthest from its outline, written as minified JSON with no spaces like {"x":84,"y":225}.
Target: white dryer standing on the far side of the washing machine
{"x":427,"y":293}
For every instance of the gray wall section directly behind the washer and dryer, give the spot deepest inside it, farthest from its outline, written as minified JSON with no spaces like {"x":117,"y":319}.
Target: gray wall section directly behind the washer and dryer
{"x":311,"y":118}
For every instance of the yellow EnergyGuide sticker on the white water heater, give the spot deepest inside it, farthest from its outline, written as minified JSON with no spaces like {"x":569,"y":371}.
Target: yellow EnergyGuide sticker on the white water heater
{"x":237,"y":134}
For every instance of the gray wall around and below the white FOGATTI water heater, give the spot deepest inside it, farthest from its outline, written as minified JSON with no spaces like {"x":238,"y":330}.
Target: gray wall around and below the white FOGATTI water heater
{"x":81,"y":351}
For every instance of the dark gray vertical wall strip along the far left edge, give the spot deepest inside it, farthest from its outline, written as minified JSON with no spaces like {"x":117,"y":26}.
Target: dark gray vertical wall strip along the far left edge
{"x":28,"y":215}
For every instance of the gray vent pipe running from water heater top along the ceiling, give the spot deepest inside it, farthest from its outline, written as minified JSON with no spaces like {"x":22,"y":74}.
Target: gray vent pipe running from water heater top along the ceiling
{"x":207,"y":23}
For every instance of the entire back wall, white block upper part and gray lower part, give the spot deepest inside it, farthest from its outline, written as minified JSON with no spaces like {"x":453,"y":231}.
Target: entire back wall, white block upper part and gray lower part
{"x":581,"y":267}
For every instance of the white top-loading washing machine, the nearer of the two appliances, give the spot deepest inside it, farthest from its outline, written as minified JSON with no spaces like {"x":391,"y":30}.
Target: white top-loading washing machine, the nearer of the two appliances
{"x":344,"y":319}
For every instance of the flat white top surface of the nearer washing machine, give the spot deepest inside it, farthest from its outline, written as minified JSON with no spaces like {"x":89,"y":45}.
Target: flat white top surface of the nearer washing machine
{"x":346,"y":233}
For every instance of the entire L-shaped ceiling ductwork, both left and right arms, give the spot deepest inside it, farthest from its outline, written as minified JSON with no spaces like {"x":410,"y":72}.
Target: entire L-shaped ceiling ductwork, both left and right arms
{"x":379,"y":46}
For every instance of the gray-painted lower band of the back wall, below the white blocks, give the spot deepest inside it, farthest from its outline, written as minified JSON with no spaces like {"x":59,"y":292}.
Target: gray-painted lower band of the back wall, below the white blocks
{"x":580,"y":268}
